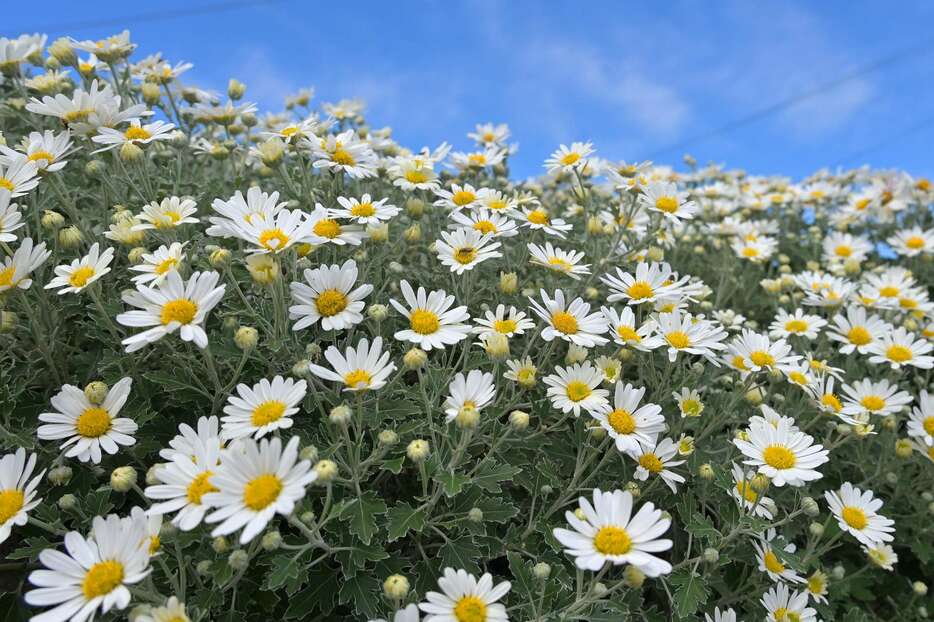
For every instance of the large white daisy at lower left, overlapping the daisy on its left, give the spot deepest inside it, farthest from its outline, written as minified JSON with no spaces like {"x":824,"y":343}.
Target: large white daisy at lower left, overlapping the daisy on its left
{"x":256,"y":481}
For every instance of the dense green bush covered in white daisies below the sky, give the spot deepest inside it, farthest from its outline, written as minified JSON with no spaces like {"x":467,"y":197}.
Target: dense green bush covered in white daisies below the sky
{"x":282,"y":367}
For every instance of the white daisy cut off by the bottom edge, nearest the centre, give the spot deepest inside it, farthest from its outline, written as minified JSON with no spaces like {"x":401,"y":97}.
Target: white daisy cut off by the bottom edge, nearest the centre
{"x":465,"y":599}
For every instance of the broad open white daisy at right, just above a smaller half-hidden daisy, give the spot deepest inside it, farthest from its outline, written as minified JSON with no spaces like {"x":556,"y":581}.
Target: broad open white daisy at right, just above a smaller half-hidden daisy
{"x":782,"y":455}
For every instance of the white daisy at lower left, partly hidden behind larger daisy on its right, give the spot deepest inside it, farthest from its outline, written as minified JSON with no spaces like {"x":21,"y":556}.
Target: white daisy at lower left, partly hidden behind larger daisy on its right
{"x":185,"y":481}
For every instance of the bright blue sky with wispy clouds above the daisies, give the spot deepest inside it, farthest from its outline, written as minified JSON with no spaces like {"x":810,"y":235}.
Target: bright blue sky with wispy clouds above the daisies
{"x":635,"y":78}
